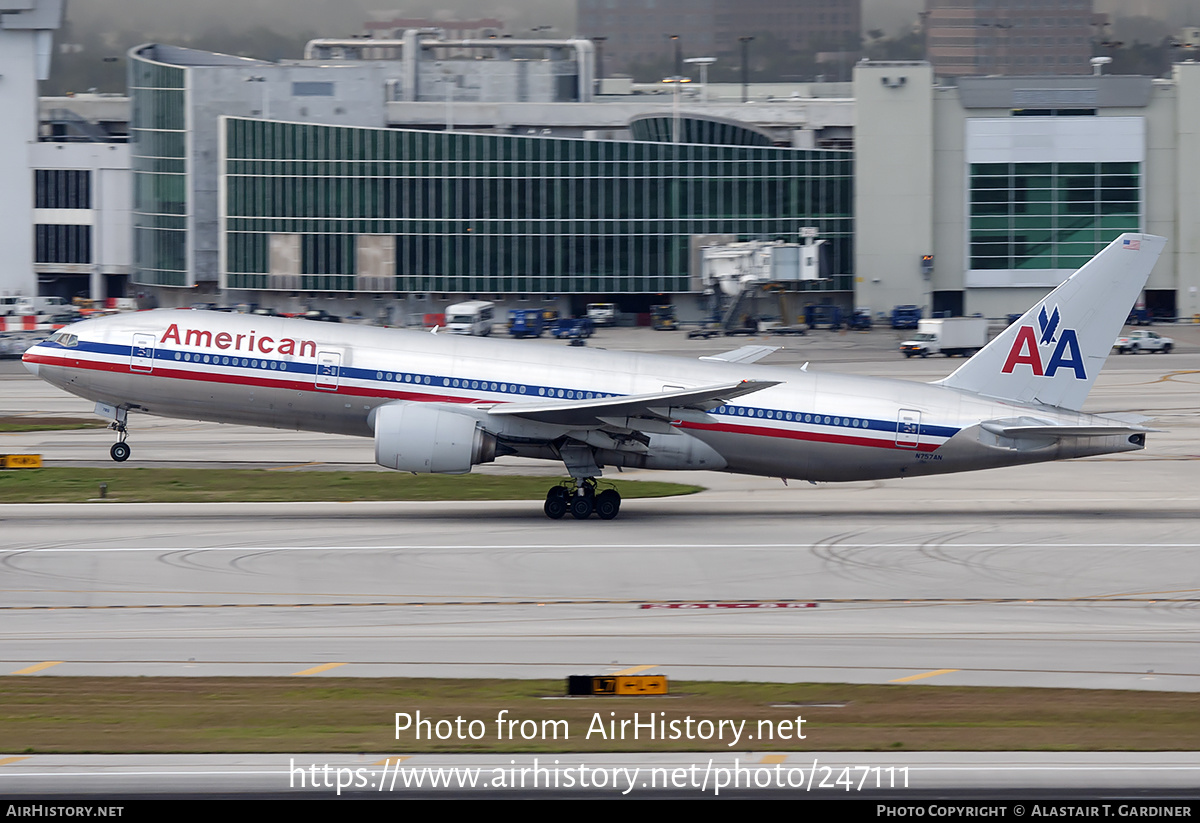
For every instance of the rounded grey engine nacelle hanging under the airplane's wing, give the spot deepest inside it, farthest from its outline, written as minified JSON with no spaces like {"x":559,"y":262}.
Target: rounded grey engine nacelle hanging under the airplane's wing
{"x":417,"y":437}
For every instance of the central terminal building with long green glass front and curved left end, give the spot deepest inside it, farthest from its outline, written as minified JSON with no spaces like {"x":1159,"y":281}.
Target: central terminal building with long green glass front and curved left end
{"x":387,"y":183}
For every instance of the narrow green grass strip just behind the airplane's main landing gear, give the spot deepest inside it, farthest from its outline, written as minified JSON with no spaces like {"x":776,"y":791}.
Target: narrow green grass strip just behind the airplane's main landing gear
{"x":153,"y":485}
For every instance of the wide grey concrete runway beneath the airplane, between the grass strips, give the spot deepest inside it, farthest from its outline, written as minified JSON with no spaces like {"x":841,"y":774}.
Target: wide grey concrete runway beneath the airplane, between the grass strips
{"x":1081,"y":574}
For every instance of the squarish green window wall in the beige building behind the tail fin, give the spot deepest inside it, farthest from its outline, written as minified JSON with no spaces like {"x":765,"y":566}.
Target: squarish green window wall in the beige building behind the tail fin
{"x":1049,"y":215}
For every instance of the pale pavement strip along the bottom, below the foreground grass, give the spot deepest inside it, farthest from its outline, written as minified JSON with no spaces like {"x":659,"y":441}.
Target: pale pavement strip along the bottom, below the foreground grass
{"x":945,"y":785}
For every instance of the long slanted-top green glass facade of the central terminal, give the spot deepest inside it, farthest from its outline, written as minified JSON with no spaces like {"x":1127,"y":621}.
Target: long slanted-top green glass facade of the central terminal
{"x":489,"y":214}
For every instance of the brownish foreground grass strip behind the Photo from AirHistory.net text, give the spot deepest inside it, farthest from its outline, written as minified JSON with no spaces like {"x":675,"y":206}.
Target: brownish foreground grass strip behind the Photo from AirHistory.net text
{"x":130,"y":716}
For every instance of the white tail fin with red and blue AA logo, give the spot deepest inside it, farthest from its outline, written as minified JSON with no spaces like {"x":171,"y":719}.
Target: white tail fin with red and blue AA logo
{"x":1053,"y":355}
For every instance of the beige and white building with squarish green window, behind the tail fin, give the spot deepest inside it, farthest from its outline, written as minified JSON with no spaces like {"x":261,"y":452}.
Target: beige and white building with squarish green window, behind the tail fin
{"x":1012,"y":183}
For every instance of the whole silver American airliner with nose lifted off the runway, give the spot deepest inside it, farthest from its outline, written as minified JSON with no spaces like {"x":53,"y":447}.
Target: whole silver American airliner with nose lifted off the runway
{"x":443,"y":404}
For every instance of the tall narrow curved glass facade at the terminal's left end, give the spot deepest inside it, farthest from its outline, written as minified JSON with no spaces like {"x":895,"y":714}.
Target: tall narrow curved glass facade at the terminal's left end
{"x":159,"y":159}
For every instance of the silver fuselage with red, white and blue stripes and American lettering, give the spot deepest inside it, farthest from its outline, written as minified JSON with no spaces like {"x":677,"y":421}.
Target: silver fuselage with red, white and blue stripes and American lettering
{"x":813,"y":426}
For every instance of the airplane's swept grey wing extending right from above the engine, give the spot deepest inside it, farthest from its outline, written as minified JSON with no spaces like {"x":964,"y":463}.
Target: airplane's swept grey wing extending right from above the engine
{"x":658,"y":406}
